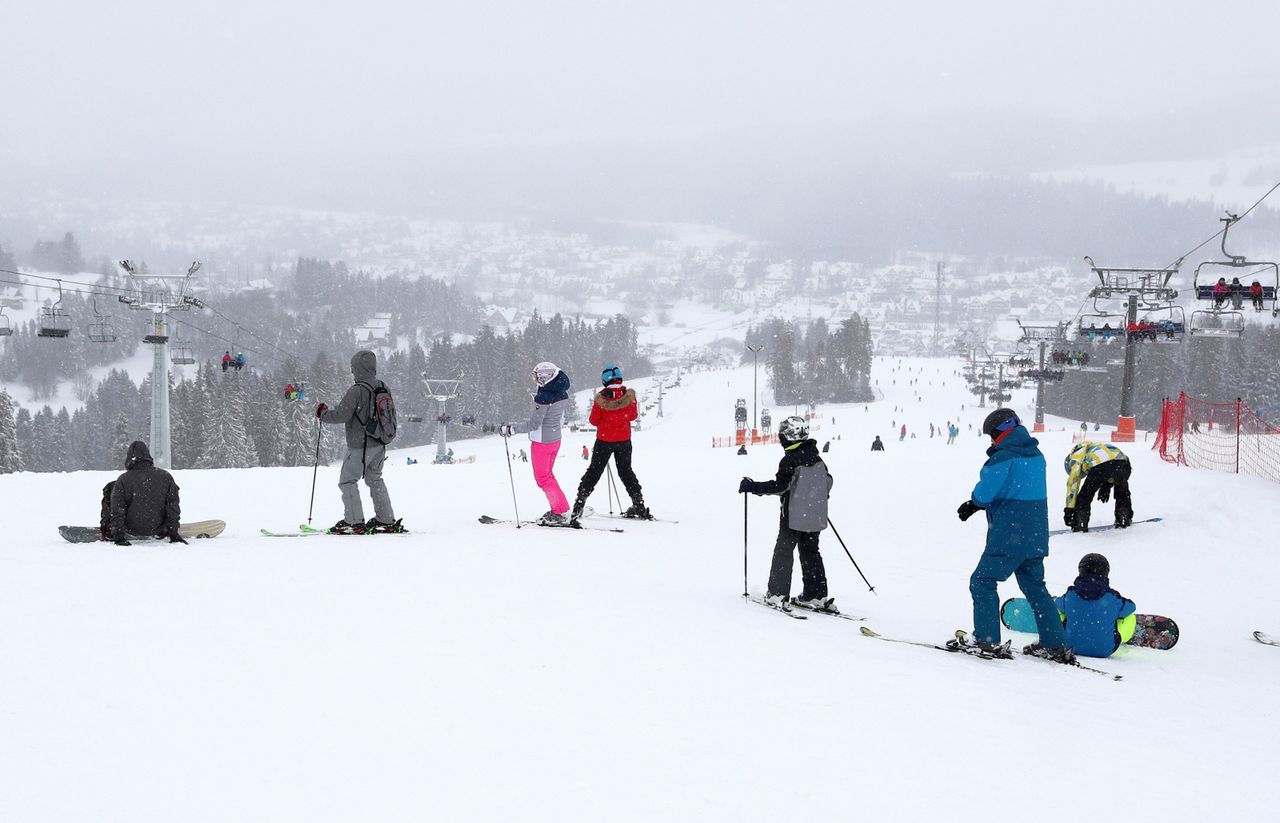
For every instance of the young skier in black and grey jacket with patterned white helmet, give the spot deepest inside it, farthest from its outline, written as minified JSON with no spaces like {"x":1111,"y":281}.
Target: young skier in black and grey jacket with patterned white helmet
{"x":804,"y":484}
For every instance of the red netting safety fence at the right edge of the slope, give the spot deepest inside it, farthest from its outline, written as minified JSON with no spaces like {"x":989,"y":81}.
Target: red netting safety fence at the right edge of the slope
{"x":1224,"y":437}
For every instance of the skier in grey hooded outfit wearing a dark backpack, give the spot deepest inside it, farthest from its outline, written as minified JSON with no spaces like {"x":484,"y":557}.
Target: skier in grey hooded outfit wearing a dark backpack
{"x":368,"y":414}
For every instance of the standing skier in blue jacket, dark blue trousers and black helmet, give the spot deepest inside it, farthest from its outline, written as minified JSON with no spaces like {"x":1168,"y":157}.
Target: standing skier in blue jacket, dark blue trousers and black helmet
{"x":1012,"y":490}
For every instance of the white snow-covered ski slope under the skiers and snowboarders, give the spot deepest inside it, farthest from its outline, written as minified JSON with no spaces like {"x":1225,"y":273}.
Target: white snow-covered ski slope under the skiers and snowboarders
{"x":470,"y":673}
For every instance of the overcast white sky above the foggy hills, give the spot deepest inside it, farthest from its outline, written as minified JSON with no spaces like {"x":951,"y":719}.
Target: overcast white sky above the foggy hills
{"x":190,"y":89}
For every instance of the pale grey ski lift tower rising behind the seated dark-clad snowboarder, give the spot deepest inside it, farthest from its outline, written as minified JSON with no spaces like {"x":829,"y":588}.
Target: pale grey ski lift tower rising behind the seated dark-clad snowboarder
{"x":161,"y":295}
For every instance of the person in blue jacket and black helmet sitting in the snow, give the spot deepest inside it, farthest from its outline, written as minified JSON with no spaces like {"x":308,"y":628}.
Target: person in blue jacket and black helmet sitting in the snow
{"x":1098,"y":618}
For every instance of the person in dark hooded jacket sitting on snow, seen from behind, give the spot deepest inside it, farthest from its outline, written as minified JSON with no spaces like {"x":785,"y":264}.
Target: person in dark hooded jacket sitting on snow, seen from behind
{"x":144,"y":501}
